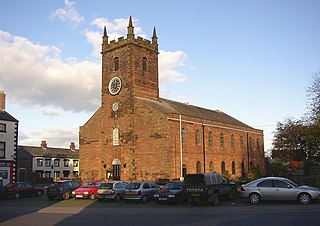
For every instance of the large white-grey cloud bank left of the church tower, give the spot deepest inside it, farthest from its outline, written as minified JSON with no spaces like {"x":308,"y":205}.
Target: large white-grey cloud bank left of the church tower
{"x":32,"y":74}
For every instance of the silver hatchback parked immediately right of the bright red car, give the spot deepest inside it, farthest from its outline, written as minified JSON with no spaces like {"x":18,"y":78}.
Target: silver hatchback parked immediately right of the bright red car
{"x":112,"y":190}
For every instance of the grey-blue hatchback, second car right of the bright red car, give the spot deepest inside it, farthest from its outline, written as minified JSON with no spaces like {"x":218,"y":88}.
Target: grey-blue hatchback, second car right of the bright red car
{"x":142,"y":191}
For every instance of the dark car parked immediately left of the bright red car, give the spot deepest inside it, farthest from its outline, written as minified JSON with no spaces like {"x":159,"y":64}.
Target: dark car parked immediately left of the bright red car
{"x":62,"y":189}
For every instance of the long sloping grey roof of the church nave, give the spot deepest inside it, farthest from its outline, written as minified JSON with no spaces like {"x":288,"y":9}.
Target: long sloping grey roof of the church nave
{"x":166,"y":106}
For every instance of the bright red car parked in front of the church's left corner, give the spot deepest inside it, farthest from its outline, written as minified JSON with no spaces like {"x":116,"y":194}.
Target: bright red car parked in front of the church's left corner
{"x":87,"y":190}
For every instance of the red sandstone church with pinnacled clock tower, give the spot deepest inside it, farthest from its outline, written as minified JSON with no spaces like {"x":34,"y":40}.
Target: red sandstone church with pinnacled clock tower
{"x":137,"y":135}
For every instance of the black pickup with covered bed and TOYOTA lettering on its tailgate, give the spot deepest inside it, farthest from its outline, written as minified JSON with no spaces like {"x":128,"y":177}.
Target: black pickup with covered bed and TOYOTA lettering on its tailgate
{"x":208,"y":187}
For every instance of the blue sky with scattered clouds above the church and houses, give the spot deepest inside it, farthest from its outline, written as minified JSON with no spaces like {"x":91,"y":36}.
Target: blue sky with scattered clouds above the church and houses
{"x":251,"y":59}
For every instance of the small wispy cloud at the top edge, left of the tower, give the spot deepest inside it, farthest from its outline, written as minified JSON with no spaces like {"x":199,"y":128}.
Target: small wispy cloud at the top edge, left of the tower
{"x":68,"y":13}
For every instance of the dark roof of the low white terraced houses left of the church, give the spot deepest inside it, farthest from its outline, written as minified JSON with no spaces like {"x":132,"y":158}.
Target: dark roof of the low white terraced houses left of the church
{"x":31,"y":151}
